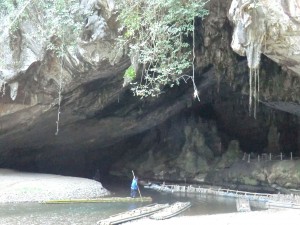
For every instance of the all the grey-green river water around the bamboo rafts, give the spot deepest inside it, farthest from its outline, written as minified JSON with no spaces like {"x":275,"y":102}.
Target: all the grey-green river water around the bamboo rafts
{"x":90,"y":213}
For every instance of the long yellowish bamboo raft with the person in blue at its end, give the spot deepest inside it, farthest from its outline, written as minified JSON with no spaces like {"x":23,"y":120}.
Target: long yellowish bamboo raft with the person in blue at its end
{"x":98,"y":200}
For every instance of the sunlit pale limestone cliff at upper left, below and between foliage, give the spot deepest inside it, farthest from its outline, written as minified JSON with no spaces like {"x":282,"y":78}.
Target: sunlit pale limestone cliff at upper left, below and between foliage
{"x":31,"y":73}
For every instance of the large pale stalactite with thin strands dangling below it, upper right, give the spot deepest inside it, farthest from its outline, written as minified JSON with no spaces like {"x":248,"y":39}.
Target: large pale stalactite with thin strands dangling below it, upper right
{"x":248,"y":38}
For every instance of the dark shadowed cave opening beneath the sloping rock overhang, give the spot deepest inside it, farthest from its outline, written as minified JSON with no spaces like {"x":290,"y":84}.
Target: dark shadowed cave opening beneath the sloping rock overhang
{"x":232,"y":123}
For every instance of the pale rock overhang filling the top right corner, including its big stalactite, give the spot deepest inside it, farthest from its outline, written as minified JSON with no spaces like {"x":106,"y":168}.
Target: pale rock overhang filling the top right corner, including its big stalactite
{"x":269,"y":28}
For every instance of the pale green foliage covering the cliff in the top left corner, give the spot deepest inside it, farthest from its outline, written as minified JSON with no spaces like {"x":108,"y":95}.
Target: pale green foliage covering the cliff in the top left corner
{"x":58,"y":23}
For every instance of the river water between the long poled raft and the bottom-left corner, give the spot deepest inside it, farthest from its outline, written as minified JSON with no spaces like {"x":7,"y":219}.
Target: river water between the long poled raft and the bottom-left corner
{"x":79,"y":213}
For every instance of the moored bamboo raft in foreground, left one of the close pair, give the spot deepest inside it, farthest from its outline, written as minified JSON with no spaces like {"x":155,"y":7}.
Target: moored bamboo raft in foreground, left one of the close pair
{"x":132,"y":214}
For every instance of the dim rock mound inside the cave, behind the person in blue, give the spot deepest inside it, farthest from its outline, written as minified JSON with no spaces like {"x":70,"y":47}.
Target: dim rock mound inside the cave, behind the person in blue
{"x":193,"y":151}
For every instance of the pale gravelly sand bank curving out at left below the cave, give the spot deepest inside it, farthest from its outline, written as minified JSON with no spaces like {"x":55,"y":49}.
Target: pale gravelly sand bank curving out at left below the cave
{"x":34,"y":187}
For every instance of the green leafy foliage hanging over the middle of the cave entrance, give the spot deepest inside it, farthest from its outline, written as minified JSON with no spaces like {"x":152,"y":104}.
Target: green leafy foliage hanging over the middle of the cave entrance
{"x":157,"y":34}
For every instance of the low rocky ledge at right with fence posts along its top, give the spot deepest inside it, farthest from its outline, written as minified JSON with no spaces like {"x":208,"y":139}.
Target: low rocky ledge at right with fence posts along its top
{"x":277,"y":175}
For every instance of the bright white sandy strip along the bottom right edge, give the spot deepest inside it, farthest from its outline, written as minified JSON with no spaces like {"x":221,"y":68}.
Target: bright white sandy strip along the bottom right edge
{"x":272,"y":217}
